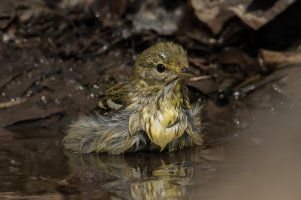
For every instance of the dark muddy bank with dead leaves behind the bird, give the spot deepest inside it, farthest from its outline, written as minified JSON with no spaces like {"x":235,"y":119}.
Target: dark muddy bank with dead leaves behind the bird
{"x":58,"y":56}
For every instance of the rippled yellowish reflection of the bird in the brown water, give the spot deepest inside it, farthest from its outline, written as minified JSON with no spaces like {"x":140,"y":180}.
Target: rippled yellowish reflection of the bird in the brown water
{"x":141,"y":175}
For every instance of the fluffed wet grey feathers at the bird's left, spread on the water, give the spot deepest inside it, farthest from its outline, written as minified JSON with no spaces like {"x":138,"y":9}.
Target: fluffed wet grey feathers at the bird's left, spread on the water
{"x":101,"y":134}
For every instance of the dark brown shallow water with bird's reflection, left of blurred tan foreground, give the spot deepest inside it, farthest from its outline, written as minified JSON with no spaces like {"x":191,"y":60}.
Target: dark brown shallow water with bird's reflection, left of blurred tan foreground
{"x":34,"y":167}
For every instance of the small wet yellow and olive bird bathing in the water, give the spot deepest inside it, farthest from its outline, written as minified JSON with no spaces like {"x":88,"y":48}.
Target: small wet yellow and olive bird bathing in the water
{"x":151,"y":110}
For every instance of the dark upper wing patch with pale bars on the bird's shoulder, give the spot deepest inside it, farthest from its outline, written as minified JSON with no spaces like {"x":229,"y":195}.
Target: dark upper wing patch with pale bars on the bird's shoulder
{"x":115,"y":98}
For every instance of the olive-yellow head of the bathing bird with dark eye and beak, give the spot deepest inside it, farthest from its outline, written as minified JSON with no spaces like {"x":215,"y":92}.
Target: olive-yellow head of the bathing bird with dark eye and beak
{"x":162,"y":64}
